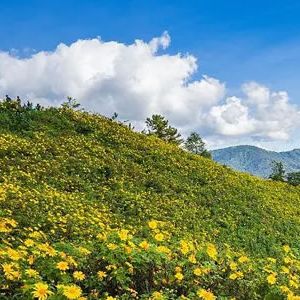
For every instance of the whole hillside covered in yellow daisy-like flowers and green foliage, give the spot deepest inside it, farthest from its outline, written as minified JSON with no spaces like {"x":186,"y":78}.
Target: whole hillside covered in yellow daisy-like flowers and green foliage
{"x":92,"y":209}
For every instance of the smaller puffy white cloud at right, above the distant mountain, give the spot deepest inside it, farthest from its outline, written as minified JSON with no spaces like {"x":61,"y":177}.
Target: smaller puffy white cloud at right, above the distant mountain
{"x":260,"y":115}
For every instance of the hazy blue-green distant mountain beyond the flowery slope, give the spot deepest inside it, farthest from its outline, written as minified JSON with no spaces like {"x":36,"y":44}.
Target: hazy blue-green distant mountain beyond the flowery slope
{"x":255,"y":160}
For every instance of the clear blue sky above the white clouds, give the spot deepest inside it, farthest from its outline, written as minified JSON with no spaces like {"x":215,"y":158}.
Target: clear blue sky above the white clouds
{"x":234,"y":41}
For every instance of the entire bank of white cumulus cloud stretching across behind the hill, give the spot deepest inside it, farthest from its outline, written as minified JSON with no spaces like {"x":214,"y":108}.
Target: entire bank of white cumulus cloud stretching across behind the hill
{"x":140,"y":79}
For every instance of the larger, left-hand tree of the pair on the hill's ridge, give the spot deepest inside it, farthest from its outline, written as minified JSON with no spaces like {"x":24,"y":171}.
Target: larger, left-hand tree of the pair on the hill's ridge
{"x":157,"y":125}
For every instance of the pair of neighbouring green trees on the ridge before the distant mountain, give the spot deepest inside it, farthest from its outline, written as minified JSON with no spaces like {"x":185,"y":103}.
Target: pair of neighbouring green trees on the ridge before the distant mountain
{"x":158,"y":126}
